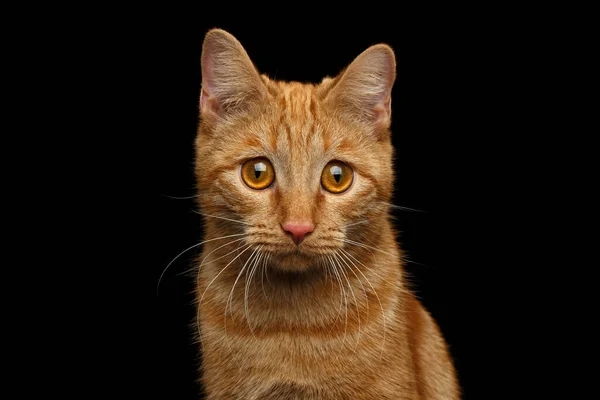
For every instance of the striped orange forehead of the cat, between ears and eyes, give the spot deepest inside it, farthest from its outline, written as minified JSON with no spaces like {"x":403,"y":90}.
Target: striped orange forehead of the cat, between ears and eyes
{"x":294,"y":125}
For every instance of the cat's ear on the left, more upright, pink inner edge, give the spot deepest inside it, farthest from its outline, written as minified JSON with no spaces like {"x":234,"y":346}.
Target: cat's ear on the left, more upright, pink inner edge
{"x":230,"y":82}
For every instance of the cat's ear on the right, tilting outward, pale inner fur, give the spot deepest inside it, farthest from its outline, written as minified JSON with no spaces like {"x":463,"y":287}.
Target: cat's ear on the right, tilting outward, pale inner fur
{"x":363,"y":91}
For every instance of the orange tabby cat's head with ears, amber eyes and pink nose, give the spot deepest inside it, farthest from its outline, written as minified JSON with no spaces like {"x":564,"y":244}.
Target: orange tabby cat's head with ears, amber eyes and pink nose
{"x":300,"y":170}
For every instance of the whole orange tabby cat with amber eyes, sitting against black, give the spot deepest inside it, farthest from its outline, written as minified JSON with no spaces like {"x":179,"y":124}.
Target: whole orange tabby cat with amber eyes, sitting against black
{"x":300,"y":288}
